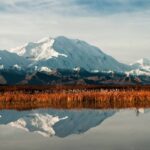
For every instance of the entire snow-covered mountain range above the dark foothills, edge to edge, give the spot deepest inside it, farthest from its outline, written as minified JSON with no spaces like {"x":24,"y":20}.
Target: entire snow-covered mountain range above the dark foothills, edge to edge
{"x":49,"y":54}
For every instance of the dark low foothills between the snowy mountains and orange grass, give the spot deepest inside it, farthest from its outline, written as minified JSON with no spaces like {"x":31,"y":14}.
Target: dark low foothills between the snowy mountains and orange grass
{"x":69,"y":77}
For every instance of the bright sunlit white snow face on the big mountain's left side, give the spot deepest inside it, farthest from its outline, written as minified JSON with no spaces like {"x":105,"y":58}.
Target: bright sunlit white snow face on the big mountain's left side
{"x":42,"y":49}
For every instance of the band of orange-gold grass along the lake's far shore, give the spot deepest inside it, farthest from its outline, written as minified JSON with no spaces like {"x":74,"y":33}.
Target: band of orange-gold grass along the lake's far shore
{"x":75,"y":98}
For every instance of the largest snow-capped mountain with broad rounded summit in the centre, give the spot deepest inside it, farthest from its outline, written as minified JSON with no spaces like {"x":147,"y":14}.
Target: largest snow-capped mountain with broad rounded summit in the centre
{"x":61,"y":52}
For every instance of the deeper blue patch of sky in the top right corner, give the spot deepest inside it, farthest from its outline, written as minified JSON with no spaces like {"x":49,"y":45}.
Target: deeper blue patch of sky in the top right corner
{"x":113,"y":6}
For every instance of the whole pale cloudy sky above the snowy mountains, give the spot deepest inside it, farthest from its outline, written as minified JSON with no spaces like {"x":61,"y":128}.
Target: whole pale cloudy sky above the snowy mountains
{"x":120,"y":28}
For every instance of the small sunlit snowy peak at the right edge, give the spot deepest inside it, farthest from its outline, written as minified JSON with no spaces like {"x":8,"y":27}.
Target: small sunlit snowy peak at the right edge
{"x":141,"y":67}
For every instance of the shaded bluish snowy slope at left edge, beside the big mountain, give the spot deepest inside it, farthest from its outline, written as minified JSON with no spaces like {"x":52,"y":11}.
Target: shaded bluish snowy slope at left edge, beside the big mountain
{"x":8,"y":59}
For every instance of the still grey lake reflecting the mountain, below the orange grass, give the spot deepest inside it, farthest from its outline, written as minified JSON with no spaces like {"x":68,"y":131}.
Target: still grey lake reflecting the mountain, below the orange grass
{"x":82,"y":129}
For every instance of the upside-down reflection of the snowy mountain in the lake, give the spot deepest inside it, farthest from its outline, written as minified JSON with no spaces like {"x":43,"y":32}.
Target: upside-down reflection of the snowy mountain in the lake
{"x":50,"y":122}
